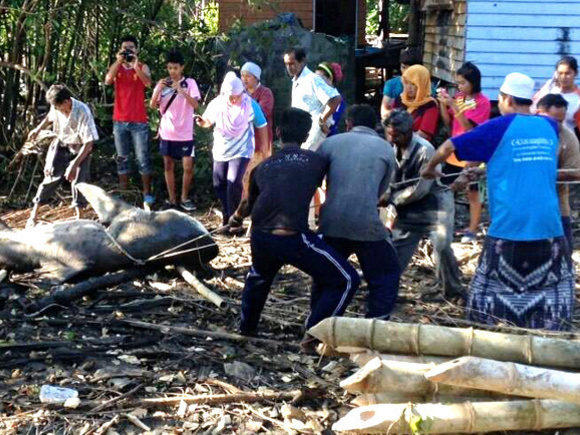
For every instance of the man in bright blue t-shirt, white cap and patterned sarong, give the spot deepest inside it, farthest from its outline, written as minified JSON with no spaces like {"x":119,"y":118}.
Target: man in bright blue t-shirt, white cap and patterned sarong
{"x":524,"y":275}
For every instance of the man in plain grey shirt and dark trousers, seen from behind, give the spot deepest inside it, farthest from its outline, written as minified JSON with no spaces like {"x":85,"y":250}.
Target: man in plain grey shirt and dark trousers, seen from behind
{"x":361,"y":167}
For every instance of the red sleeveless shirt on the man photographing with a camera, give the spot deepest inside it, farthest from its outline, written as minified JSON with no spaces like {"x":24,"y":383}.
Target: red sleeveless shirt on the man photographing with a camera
{"x":129,"y":96}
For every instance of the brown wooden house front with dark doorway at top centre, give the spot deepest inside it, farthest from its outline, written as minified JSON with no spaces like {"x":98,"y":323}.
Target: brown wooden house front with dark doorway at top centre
{"x":333,"y":17}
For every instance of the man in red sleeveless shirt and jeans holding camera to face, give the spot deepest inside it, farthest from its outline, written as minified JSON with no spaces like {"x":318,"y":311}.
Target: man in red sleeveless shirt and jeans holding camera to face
{"x":130,"y":124}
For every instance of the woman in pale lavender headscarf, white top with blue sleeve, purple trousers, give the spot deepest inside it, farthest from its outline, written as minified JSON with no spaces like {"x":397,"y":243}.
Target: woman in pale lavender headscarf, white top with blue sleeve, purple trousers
{"x":234,"y":115}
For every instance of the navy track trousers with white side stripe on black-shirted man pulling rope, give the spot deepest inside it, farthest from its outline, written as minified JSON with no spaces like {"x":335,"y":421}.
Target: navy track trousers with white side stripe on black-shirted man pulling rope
{"x":335,"y":281}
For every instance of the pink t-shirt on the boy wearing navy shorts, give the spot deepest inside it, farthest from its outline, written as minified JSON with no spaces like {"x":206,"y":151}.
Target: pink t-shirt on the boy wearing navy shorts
{"x":177,"y":121}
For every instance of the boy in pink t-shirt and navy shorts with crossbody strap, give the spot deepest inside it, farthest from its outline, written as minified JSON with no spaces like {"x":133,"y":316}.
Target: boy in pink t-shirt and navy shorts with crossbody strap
{"x":177,"y":98}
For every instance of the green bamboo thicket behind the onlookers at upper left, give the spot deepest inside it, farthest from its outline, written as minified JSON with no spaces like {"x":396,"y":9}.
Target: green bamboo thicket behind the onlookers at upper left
{"x":75,"y":41}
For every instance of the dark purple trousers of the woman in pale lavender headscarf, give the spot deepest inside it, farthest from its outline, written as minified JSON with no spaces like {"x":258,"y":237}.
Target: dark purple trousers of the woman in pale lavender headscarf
{"x":227,"y":182}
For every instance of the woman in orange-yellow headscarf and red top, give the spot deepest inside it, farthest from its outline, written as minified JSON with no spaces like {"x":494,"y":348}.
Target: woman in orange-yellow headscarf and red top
{"x":416,"y":98}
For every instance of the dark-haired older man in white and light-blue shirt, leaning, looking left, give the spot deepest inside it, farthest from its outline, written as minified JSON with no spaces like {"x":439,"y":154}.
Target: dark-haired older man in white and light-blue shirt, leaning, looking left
{"x":312,"y":94}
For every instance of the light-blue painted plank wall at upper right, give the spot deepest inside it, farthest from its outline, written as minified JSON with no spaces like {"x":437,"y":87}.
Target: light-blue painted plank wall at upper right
{"x":528,"y":36}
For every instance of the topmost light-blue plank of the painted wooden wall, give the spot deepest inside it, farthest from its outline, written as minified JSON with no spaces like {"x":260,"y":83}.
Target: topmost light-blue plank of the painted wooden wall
{"x":518,"y":8}
